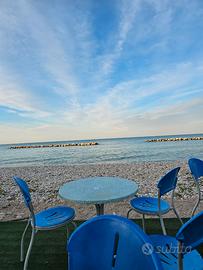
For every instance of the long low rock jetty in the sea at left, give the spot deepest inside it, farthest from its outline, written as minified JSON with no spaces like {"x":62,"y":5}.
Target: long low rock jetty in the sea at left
{"x":54,"y":145}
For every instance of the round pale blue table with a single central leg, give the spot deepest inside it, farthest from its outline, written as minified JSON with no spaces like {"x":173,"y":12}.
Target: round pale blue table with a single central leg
{"x":98,"y":191}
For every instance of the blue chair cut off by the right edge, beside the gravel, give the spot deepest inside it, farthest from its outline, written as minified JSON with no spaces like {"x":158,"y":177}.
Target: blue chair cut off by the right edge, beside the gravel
{"x":196,"y":168}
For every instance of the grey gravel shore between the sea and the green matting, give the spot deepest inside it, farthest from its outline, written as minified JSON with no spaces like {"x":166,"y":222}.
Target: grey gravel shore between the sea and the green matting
{"x":44,"y":183}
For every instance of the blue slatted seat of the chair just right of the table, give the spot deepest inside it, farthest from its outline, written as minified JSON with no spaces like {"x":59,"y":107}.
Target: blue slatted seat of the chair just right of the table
{"x":149,"y":205}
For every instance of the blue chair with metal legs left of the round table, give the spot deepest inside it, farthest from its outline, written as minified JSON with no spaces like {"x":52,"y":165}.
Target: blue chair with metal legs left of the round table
{"x":48,"y":219}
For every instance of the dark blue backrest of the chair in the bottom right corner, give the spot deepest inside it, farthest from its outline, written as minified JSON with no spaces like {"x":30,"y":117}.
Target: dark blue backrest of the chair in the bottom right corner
{"x":191,"y":233}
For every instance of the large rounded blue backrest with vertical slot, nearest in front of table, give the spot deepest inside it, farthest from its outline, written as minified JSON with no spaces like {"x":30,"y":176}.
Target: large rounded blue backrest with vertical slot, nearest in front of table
{"x":111,"y":242}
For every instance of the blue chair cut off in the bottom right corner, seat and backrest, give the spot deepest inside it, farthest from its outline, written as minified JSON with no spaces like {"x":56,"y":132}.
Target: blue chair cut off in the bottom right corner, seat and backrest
{"x":180,"y":252}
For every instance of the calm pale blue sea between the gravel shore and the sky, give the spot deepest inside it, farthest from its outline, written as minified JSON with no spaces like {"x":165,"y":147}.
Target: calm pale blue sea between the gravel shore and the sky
{"x":108,"y":150}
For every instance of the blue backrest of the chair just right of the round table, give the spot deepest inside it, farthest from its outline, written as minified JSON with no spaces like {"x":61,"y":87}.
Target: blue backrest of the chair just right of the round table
{"x":168,"y":181}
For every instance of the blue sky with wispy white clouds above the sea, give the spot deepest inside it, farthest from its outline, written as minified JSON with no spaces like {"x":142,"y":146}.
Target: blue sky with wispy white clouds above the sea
{"x":89,"y":69}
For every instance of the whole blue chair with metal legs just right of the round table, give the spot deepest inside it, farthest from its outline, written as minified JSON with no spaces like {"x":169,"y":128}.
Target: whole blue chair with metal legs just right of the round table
{"x":157,"y":206}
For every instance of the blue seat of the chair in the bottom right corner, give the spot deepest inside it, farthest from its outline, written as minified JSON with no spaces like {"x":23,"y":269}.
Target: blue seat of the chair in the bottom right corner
{"x":167,"y":250}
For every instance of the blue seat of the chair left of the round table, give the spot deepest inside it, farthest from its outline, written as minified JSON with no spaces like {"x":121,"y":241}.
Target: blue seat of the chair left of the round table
{"x":54,"y":217}
